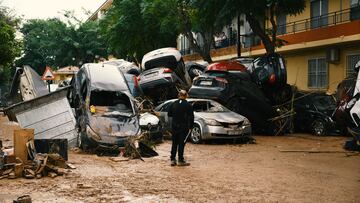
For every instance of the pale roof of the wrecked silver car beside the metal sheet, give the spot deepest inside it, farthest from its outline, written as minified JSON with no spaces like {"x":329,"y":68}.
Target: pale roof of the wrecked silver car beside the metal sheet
{"x":105,"y":77}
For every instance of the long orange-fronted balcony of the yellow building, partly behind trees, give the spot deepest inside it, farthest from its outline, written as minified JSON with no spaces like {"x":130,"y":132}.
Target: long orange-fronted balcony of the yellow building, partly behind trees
{"x":298,"y":32}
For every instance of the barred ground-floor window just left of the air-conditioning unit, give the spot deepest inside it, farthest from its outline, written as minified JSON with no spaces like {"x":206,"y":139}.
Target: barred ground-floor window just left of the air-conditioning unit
{"x":317,"y":73}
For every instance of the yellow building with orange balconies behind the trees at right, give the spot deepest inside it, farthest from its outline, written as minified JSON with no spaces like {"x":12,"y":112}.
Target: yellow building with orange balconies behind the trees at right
{"x":323,"y":44}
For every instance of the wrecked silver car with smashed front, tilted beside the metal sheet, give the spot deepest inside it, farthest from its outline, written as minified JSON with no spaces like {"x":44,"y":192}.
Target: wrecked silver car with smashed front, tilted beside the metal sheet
{"x":106,"y":113}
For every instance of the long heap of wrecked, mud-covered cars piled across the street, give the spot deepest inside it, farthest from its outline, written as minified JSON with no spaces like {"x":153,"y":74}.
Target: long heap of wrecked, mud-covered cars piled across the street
{"x":110,"y":102}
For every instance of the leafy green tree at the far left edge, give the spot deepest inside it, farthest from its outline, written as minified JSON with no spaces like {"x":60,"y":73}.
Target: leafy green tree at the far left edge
{"x":9,"y":45}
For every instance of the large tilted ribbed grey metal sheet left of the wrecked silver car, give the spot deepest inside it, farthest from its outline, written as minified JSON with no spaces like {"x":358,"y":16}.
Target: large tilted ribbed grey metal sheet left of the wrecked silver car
{"x":50,"y":116}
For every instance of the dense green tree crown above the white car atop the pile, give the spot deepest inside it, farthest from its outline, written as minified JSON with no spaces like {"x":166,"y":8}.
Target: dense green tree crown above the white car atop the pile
{"x":134,"y":27}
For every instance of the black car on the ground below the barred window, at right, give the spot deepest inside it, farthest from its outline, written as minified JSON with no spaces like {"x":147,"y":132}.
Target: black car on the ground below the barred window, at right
{"x":314,"y":112}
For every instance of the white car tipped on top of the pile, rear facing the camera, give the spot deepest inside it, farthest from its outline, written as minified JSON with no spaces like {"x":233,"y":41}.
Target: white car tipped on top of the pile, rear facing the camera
{"x":164,"y":73}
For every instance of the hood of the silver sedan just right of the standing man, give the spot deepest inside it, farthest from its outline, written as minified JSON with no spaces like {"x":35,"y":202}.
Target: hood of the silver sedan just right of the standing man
{"x":222,"y":117}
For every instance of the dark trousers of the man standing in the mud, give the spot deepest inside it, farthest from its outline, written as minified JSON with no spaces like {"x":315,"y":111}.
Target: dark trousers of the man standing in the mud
{"x":178,"y":144}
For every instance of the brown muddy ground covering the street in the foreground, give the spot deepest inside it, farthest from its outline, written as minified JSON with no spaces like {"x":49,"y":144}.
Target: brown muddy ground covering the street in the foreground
{"x":219,"y":172}
